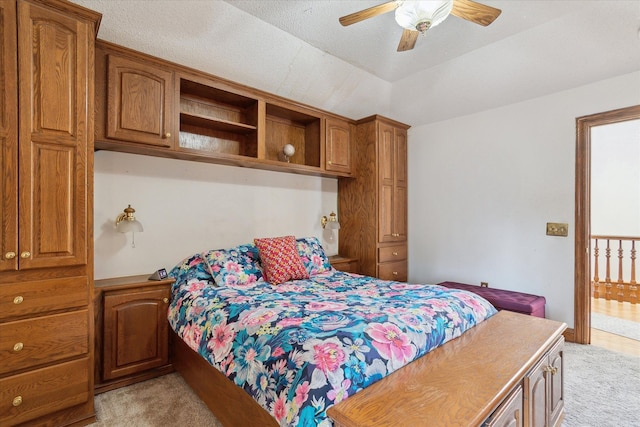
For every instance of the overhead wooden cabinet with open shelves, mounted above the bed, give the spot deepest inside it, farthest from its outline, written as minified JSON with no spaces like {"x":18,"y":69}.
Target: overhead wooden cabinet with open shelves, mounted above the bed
{"x":149,"y":106}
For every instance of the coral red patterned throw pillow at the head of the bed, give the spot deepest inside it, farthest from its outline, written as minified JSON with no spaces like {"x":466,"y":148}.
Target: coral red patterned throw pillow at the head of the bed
{"x":280,"y":259}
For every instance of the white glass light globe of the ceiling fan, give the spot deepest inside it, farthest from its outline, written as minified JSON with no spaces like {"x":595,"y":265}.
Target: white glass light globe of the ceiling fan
{"x":412,"y":14}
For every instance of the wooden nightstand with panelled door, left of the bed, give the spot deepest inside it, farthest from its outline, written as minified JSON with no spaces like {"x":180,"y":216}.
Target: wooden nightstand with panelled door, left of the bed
{"x":132,"y":331}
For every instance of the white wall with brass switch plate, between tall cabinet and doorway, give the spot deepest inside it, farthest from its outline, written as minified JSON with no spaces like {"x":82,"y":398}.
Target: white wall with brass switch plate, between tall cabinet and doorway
{"x":482,"y":188}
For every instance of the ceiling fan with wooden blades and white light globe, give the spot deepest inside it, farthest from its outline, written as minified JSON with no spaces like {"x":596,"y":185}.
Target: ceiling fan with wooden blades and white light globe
{"x":416,"y":17}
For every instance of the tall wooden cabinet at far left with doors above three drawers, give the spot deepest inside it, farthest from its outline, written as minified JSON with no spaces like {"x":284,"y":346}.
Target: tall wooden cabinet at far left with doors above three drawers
{"x":46,"y":327}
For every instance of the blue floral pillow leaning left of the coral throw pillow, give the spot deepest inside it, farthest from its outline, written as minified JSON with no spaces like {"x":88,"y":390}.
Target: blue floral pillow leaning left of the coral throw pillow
{"x":239,"y":266}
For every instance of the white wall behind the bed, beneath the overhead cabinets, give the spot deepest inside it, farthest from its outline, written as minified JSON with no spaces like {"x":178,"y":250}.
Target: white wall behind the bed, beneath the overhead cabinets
{"x":188,"y":207}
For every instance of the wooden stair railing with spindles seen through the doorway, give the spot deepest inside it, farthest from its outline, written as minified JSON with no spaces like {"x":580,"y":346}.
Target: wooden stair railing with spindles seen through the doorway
{"x":620,"y":290}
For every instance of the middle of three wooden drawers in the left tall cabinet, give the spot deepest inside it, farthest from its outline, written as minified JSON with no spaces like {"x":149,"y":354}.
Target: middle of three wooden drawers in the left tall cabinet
{"x":28,"y":343}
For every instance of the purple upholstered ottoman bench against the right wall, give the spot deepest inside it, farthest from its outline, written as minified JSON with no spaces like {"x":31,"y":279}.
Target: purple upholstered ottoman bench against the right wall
{"x":505,"y":300}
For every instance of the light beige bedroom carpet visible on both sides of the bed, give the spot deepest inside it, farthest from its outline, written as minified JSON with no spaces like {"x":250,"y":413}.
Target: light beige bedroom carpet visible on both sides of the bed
{"x":602,"y":389}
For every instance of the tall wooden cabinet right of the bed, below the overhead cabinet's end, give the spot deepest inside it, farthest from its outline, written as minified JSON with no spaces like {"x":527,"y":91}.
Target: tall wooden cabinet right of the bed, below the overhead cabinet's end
{"x":372,"y":207}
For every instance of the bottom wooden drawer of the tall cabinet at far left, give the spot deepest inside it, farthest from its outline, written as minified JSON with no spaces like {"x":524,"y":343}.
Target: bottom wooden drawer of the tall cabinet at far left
{"x":24,"y":397}
